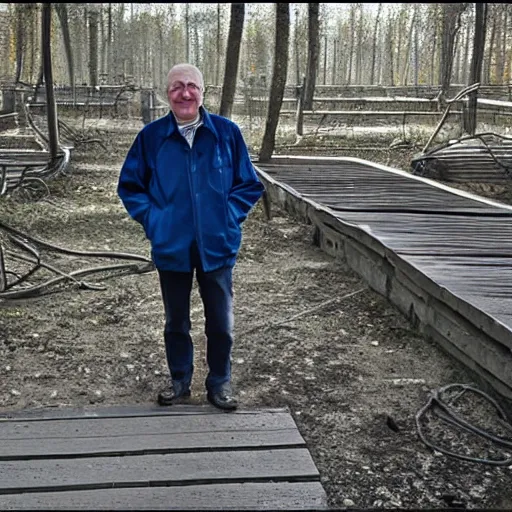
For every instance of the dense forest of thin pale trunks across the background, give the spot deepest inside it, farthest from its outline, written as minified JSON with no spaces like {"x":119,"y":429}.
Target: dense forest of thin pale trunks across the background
{"x":357,"y":43}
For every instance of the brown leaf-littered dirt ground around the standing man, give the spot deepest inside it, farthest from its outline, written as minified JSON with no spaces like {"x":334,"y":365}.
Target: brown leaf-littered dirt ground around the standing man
{"x":310,"y":336}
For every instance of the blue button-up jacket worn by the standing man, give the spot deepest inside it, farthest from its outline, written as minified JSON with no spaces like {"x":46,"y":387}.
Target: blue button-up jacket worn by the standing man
{"x":181,"y":194}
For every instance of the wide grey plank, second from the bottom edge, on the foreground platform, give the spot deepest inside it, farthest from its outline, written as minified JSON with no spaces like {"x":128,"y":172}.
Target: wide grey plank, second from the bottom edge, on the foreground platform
{"x":167,"y":469}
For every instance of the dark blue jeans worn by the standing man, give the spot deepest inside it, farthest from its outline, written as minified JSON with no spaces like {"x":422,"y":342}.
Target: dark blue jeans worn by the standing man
{"x":217,"y":296}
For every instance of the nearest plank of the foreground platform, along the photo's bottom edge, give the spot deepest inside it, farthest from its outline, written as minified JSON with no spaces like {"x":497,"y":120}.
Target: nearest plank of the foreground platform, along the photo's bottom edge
{"x":246,"y":496}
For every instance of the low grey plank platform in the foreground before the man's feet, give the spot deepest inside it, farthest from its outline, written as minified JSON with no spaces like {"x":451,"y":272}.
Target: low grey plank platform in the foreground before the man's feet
{"x":176,"y":458}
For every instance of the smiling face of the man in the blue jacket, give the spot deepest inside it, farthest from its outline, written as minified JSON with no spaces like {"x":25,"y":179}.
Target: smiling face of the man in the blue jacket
{"x":185,"y":93}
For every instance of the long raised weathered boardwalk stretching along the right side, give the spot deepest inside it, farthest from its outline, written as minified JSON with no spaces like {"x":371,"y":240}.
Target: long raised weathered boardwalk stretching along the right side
{"x":442,"y":256}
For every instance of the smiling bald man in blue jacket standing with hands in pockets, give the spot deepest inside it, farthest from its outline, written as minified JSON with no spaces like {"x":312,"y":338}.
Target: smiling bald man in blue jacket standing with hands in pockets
{"x":189,"y":181}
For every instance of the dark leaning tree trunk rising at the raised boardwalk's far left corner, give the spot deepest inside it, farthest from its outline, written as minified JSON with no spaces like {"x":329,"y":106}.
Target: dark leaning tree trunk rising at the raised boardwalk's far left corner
{"x":278,"y":80}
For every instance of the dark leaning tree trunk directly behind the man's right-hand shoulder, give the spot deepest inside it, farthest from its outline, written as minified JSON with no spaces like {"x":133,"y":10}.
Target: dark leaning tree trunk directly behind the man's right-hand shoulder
{"x":236,"y":25}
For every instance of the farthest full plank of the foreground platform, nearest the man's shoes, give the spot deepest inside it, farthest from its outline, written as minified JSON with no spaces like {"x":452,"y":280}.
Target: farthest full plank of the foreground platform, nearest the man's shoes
{"x":156,"y":425}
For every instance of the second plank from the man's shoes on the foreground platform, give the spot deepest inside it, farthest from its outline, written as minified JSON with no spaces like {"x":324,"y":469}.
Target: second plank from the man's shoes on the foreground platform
{"x":171,"y":442}
